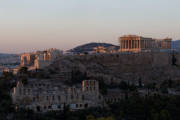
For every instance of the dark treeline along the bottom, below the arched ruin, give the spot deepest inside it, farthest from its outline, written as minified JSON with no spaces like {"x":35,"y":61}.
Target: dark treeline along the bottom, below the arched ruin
{"x":135,"y":108}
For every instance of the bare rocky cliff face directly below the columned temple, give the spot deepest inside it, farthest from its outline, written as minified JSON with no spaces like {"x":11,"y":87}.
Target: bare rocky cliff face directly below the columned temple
{"x":113,"y":68}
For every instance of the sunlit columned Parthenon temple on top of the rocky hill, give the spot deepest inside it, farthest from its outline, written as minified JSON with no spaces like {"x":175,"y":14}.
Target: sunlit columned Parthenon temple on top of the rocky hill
{"x":133,"y":43}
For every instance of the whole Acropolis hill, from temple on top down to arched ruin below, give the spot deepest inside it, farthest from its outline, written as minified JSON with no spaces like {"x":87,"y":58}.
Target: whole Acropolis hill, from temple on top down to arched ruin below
{"x":50,"y":79}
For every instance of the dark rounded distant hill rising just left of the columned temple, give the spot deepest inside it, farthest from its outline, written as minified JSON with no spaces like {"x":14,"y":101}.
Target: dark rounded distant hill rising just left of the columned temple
{"x":89,"y":47}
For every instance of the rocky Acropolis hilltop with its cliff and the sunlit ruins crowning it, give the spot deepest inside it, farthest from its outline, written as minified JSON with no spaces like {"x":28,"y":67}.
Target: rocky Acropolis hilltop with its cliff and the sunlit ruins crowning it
{"x":139,"y":58}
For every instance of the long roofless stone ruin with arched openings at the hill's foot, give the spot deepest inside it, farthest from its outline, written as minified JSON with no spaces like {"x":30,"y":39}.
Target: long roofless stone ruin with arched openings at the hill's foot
{"x":42,"y":95}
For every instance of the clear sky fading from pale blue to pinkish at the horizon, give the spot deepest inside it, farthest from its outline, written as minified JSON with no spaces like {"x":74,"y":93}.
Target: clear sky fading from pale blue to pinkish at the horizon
{"x":30,"y":25}
